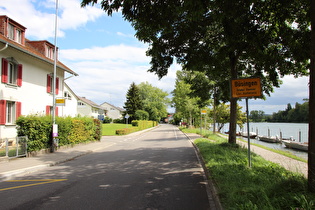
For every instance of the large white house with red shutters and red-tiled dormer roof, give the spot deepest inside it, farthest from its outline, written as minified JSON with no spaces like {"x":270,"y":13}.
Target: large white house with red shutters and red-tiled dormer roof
{"x":26,"y":76}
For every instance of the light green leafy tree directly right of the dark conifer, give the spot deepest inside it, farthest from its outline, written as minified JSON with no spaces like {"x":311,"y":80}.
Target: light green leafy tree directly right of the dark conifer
{"x":154,"y":100}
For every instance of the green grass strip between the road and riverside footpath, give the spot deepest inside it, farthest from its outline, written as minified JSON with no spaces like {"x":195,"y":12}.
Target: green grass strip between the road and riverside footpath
{"x":265,"y":185}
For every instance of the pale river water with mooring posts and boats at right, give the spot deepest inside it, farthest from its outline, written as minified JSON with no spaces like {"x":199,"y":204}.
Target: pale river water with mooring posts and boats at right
{"x":299,"y":131}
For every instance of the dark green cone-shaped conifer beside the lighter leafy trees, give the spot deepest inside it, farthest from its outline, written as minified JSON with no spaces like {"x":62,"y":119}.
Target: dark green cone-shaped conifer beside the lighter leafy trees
{"x":133,"y":102}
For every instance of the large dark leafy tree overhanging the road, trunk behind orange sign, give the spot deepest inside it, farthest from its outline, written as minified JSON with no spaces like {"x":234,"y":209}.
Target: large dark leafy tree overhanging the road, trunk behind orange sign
{"x":227,"y":38}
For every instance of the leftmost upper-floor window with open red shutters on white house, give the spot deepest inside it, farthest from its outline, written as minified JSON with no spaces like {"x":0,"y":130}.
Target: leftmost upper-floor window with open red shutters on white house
{"x":11,"y":72}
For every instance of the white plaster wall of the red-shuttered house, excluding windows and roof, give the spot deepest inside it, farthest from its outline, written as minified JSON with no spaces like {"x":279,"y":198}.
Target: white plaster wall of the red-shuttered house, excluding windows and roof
{"x":32,"y":94}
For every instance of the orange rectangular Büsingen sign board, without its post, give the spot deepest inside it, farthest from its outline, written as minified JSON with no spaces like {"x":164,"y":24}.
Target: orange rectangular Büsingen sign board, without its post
{"x":243,"y":88}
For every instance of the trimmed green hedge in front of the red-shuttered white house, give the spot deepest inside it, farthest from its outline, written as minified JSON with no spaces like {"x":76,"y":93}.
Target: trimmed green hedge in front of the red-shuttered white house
{"x":38,"y":129}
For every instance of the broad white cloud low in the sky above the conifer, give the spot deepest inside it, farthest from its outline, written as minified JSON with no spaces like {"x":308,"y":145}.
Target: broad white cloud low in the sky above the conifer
{"x":107,"y":72}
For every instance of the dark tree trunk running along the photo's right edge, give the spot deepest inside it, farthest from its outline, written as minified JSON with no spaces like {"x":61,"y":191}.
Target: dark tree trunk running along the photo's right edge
{"x":311,"y":134}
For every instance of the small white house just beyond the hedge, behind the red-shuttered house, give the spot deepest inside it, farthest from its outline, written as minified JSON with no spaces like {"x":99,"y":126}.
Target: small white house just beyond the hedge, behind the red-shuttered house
{"x":89,"y":108}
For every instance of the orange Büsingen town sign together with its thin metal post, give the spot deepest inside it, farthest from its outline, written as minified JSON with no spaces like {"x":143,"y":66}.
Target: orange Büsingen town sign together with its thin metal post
{"x":246,"y":88}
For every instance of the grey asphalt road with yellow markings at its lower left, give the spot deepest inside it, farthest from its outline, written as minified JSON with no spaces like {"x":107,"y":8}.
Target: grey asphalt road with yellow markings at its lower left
{"x":157,"y":169}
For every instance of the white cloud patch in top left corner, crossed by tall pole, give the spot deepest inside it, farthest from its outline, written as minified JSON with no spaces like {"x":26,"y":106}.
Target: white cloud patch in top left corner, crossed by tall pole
{"x":38,"y":16}
